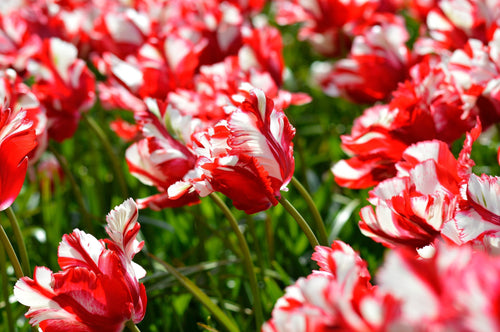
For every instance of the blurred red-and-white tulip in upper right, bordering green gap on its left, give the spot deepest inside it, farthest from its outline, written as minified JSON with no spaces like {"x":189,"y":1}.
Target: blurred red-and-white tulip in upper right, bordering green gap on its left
{"x":379,"y":51}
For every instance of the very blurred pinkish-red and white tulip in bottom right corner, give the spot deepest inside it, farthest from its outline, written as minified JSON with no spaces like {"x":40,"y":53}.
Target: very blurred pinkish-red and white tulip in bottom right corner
{"x":457,"y":289}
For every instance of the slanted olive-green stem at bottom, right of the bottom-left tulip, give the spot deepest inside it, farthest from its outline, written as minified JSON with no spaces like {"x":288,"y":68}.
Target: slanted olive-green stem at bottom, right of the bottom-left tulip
{"x":200,"y":295}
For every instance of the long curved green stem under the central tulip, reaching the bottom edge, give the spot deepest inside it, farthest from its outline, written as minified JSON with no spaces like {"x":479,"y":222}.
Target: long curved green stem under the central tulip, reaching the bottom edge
{"x":247,"y":259}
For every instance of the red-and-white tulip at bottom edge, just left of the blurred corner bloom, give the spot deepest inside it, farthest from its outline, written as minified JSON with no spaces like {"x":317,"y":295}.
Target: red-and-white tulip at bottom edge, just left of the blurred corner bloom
{"x":339,"y":297}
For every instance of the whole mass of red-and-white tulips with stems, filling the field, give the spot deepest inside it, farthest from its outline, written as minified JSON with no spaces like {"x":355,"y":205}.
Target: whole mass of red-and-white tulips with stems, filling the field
{"x":207,"y":87}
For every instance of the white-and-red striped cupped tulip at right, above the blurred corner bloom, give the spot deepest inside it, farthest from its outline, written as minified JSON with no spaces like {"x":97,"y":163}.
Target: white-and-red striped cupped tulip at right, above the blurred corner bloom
{"x":410,"y":209}
